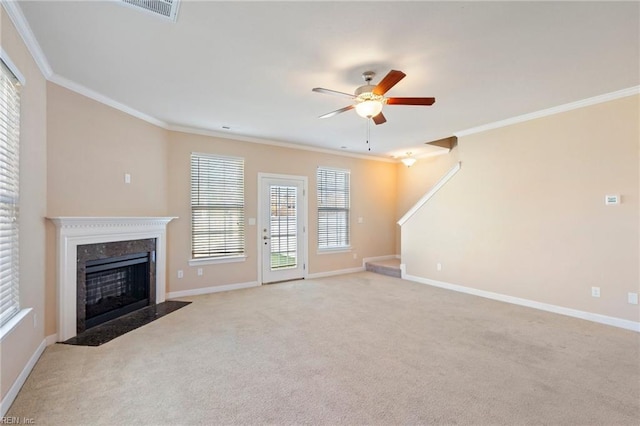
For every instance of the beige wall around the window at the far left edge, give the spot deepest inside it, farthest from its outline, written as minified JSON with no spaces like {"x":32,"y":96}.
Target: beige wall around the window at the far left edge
{"x":18,"y":347}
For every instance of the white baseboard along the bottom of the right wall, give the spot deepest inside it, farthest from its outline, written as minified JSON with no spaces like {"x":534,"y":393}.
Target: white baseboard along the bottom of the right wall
{"x":589,"y":316}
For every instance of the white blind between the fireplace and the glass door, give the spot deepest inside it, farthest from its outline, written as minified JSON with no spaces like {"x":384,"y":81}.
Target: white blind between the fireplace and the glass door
{"x":217,"y":206}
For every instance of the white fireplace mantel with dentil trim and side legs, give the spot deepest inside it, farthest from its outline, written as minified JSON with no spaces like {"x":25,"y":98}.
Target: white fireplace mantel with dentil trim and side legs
{"x":75,"y":231}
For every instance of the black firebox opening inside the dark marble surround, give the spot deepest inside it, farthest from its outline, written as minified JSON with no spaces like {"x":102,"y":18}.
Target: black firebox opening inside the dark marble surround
{"x":116,"y":286}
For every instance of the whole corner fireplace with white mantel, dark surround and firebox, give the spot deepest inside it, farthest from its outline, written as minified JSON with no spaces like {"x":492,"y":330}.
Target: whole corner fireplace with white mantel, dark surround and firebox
{"x":98,"y":244}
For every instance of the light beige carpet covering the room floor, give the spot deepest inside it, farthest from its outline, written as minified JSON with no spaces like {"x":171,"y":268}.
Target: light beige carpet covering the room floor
{"x":353,"y":349}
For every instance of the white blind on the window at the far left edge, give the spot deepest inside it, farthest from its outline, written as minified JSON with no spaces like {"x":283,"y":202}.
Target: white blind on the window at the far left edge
{"x":9,"y":172}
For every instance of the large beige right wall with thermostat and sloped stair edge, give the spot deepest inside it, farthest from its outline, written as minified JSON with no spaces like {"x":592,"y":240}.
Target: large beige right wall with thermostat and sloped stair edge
{"x":525,"y":216}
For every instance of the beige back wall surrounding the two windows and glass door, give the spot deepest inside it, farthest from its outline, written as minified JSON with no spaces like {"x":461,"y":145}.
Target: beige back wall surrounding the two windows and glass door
{"x":373,"y":198}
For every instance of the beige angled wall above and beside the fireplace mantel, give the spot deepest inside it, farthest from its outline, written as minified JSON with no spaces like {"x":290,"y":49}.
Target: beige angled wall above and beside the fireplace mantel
{"x":90,"y":148}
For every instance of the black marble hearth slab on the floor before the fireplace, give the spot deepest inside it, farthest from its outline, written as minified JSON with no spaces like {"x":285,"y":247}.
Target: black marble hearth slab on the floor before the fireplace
{"x":109,"y":330}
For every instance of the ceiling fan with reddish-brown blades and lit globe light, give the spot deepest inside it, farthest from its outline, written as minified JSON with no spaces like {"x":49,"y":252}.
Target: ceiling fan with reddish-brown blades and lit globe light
{"x":369,"y":99}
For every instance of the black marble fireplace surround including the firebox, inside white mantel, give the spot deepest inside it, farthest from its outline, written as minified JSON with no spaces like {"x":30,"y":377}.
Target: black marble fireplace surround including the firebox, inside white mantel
{"x":114,"y":266}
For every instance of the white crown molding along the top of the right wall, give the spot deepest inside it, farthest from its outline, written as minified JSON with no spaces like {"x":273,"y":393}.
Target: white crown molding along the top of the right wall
{"x":552,"y":111}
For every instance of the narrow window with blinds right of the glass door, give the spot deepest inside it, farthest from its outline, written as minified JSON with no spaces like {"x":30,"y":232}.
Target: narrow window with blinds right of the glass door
{"x":333,"y":208}
